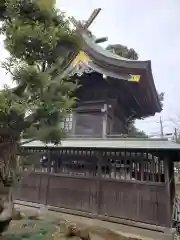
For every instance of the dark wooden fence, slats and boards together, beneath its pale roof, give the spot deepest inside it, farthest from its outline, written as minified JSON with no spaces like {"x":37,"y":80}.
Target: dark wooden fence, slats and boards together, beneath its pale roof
{"x":110,"y":185}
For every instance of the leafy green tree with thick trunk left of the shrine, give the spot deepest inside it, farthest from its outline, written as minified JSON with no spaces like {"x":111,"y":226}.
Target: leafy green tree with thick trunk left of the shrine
{"x":40,"y":43}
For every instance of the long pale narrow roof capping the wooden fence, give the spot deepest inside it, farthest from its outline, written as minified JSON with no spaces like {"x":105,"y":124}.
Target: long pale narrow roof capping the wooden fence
{"x":149,"y":144}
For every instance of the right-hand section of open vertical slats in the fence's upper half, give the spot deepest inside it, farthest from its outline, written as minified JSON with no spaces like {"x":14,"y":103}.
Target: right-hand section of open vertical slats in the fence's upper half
{"x":136,"y":166}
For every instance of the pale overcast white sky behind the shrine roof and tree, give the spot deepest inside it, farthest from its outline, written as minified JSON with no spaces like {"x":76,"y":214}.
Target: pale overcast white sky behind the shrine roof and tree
{"x":152,"y":28}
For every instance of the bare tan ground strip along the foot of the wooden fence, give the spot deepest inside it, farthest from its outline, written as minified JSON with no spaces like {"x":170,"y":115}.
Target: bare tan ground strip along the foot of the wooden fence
{"x":99,"y":228}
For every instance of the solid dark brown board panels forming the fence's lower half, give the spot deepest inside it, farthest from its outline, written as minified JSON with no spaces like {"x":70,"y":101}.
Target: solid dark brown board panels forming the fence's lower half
{"x":128,"y":200}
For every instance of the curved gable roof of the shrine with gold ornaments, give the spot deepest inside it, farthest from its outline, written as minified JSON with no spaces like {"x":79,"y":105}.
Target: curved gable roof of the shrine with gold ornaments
{"x":97,"y":59}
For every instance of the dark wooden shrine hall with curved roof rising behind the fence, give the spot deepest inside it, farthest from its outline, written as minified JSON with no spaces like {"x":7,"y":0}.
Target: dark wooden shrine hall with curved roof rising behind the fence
{"x":114,"y":91}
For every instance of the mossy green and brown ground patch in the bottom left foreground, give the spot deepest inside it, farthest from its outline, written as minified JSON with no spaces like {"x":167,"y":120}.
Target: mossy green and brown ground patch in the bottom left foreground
{"x":43,"y":225}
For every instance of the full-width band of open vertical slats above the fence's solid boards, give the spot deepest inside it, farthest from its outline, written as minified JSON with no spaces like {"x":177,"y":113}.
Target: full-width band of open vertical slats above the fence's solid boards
{"x":126,"y":166}
